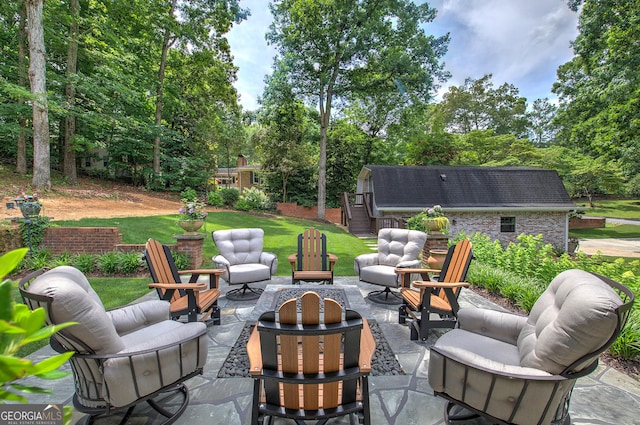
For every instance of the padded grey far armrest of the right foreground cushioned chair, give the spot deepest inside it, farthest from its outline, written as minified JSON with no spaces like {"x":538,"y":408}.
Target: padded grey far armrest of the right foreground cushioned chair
{"x":503,"y":326}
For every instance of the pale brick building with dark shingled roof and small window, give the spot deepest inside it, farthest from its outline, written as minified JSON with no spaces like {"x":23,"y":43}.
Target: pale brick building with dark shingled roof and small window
{"x":501,"y":202}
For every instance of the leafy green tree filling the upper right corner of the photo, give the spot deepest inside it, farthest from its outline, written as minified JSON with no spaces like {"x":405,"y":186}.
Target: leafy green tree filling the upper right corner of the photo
{"x":599,"y":89}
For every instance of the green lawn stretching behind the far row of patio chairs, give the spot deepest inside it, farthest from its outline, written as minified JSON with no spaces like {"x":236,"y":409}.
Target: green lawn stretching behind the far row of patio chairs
{"x":281,"y":234}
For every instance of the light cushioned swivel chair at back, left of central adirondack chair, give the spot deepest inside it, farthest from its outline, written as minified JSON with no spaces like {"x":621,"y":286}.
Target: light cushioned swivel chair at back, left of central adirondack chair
{"x":243,"y":260}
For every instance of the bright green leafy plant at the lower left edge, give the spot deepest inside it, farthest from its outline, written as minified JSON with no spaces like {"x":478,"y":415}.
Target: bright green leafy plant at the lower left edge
{"x":20,"y":326}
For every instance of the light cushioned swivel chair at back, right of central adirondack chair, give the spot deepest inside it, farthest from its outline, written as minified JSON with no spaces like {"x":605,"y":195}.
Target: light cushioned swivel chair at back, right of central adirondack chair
{"x":396,"y":248}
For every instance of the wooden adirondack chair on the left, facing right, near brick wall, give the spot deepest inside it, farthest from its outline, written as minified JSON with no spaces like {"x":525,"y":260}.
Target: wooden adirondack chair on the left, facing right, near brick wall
{"x":189,"y":299}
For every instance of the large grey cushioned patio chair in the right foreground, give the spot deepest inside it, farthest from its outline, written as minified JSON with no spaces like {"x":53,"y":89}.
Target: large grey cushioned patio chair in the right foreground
{"x":522,"y":370}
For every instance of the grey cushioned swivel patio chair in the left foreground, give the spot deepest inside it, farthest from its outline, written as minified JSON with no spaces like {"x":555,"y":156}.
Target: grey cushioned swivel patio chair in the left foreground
{"x":121,"y":357}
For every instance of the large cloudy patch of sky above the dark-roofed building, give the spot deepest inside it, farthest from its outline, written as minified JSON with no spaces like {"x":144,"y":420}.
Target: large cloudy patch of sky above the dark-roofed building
{"x":520,"y":42}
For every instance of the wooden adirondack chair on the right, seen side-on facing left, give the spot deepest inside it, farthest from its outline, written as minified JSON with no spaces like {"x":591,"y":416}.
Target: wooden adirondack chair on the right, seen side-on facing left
{"x":441,"y":297}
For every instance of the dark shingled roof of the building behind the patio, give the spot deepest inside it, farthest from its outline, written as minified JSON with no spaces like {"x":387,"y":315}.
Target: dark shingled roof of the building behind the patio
{"x":467,"y":187}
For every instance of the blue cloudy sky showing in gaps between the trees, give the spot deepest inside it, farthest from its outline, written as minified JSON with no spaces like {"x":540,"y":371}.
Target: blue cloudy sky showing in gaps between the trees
{"x":520,"y":42}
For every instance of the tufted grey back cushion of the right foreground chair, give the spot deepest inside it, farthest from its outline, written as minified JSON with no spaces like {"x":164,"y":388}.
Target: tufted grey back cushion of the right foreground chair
{"x":574,"y":316}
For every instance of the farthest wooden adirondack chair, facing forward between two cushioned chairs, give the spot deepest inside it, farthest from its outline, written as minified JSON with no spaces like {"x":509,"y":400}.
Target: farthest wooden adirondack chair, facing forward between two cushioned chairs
{"x":312,"y":263}
